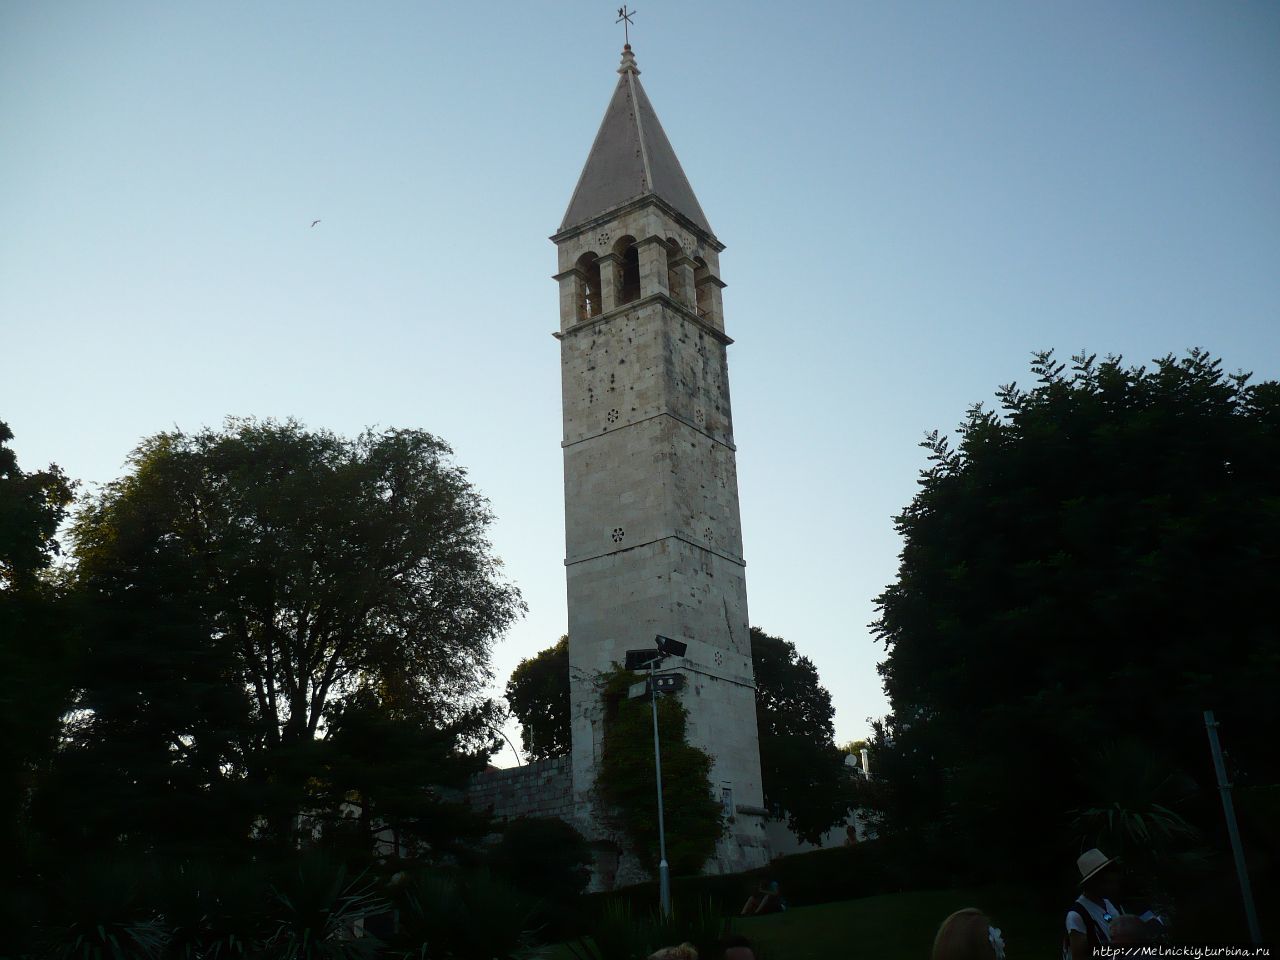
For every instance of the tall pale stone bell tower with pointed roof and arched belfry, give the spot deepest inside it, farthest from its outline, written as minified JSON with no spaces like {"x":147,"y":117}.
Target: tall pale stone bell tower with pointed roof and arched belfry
{"x":653,"y":537}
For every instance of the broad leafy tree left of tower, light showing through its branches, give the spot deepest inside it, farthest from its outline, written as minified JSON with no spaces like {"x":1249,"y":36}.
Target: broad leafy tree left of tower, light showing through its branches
{"x":244,"y":587}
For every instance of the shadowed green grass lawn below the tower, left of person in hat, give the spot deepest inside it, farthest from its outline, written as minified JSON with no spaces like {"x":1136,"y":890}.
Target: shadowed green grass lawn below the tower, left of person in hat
{"x":894,"y":927}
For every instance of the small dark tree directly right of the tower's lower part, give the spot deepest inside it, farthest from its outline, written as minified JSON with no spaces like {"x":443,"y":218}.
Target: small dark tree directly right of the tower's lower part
{"x":803,"y":771}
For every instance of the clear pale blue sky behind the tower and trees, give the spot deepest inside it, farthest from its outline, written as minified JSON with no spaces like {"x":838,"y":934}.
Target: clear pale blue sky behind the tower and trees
{"x":915,"y":198}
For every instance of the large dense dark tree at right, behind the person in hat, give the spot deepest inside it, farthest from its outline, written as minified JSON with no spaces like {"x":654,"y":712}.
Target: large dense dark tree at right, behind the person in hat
{"x":1094,"y":565}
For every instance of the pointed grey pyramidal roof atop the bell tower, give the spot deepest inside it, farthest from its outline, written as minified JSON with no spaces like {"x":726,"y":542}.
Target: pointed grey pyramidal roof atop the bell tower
{"x":632,"y":158}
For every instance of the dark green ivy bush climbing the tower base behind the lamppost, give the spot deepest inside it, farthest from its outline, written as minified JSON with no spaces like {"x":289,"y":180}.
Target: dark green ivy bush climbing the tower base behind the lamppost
{"x":627,"y":780}
